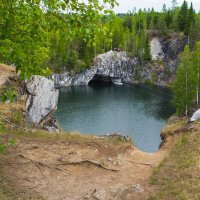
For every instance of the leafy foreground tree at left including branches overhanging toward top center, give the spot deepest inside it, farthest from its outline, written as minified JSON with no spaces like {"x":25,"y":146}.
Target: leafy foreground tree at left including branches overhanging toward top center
{"x":25,"y":28}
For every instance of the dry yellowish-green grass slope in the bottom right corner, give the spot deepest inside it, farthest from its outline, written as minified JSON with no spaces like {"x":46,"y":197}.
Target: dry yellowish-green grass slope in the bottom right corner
{"x":177,"y":177}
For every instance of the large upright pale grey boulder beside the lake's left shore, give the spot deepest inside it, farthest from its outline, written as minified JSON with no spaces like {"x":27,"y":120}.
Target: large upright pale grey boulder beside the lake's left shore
{"x":42,"y":99}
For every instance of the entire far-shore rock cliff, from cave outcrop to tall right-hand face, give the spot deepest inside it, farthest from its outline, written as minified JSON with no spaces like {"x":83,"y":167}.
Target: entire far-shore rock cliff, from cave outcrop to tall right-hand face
{"x":118,"y":64}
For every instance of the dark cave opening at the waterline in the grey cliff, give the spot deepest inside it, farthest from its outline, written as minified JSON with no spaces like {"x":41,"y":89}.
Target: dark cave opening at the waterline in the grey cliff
{"x":100,"y":80}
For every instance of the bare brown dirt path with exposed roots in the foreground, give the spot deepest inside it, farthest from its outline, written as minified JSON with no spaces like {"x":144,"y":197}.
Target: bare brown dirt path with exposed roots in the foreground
{"x":74,"y":171}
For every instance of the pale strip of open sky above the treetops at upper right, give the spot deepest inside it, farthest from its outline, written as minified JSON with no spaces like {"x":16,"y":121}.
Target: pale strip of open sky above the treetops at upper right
{"x":128,"y":5}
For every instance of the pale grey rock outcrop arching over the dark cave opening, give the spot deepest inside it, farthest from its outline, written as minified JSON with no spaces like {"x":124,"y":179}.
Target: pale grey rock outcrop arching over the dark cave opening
{"x":112,"y":64}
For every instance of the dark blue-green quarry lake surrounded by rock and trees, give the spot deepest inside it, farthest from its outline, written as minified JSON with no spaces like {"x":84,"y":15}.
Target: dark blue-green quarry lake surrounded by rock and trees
{"x":140,"y":111}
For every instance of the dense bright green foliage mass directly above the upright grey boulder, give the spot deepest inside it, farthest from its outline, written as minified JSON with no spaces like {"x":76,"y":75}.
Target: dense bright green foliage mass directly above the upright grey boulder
{"x":23,"y":37}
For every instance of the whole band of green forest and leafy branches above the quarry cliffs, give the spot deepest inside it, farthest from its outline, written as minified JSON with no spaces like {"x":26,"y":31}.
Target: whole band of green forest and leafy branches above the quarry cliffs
{"x":40,"y":36}
